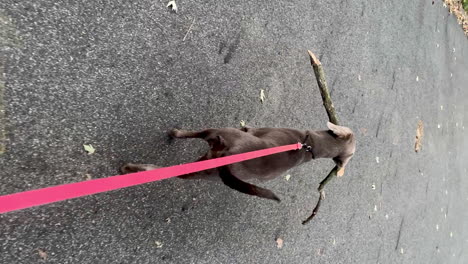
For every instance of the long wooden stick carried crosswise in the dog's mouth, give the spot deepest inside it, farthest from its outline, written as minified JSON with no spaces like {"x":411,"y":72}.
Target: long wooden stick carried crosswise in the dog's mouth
{"x":328,"y":104}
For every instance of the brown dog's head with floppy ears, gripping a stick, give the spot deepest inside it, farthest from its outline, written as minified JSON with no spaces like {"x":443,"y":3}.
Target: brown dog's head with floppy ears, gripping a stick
{"x":347,"y":145}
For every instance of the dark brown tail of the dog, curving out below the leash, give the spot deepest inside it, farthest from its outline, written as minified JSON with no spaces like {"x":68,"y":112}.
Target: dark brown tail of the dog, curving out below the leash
{"x":245,"y":187}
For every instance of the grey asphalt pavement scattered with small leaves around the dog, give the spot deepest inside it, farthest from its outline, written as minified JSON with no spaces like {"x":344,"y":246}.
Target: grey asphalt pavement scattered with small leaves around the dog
{"x":119,"y":74}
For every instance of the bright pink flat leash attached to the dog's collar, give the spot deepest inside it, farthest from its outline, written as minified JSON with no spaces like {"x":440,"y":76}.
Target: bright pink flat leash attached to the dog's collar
{"x":21,"y":200}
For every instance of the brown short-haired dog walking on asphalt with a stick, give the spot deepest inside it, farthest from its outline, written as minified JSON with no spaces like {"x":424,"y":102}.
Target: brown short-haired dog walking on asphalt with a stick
{"x":337,"y":143}
